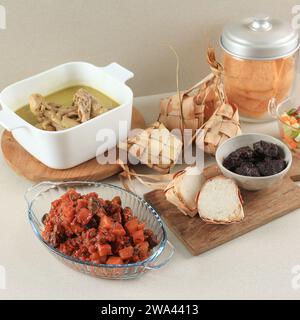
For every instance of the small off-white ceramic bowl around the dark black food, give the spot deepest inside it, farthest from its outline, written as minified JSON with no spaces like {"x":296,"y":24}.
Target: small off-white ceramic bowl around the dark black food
{"x":245,"y":182}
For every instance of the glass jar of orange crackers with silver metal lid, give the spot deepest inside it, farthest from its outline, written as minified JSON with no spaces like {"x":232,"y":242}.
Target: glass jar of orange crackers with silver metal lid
{"x":260,"y":59}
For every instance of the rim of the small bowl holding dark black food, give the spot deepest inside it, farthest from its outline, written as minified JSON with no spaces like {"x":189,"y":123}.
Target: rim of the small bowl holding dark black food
{"x":281,"y":144}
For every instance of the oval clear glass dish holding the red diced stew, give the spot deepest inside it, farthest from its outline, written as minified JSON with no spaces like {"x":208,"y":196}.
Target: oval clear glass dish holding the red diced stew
{"x":39,"y":199}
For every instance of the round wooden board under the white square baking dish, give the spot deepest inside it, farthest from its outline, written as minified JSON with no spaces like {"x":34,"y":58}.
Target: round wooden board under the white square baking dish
{"x":32,"y":169}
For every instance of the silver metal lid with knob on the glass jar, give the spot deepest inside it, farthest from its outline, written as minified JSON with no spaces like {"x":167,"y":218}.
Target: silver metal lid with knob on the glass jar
{"x":259,"y":38}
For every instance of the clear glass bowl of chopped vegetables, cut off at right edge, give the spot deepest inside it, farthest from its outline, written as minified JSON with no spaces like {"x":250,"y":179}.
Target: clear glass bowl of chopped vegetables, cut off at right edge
{"x":289,"y":134}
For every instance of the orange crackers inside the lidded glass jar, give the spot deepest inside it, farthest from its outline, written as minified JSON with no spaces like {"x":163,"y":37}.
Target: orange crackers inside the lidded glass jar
{"x":250,"y":84}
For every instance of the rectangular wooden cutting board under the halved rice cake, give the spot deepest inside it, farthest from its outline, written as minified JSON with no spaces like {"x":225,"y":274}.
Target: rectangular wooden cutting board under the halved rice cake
{"x":260,"y":208}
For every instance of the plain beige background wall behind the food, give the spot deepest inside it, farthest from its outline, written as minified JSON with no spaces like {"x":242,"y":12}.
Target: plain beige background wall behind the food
{"x":136,"y":33}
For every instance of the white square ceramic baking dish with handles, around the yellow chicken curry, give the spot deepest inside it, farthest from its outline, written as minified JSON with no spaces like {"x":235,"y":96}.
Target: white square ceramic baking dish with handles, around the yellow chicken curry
{"x":71,"y":147}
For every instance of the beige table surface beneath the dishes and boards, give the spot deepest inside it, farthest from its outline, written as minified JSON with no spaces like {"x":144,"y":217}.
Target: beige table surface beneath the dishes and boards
{"x":256,"y":265}
